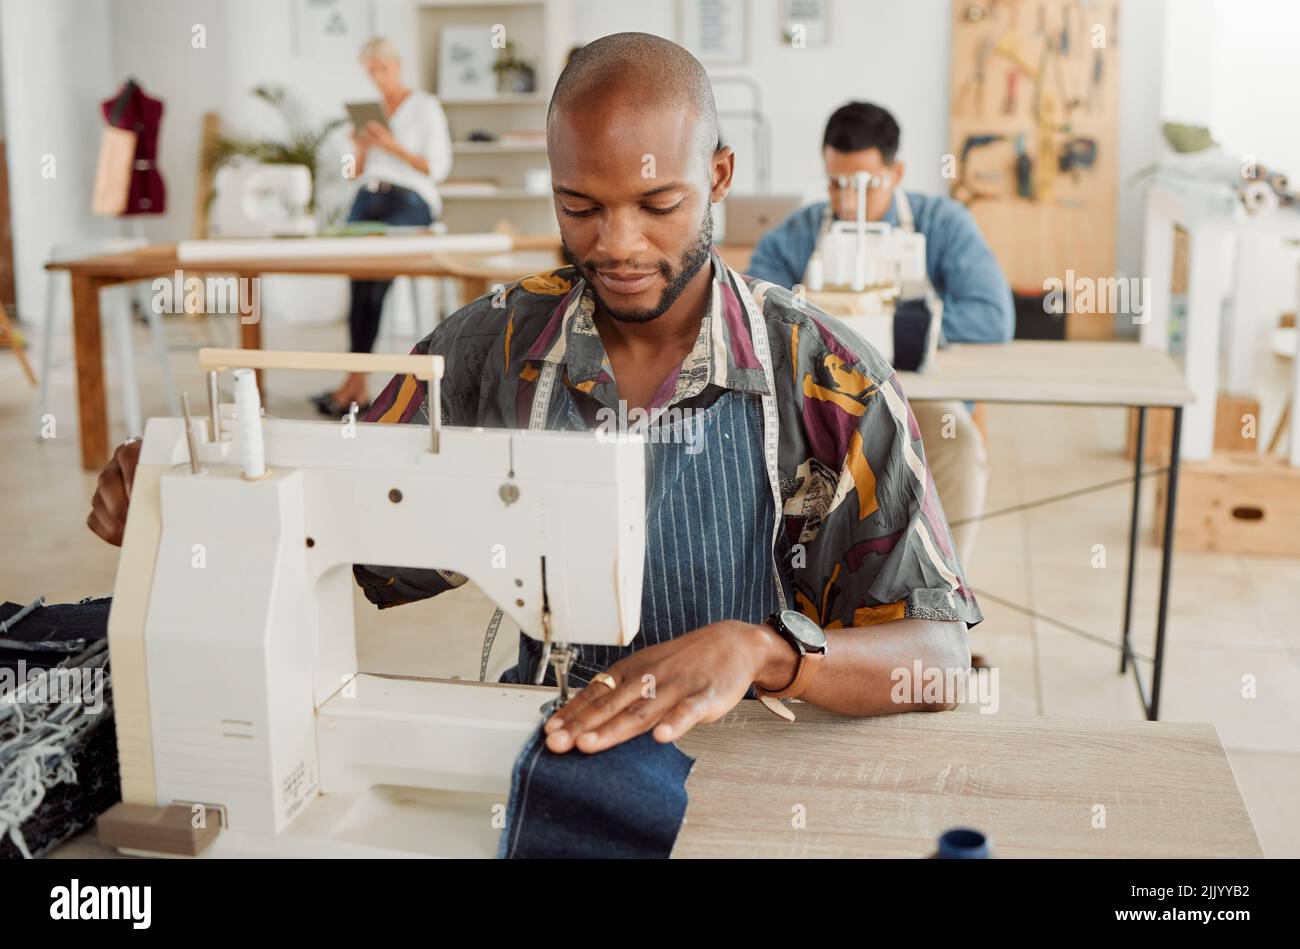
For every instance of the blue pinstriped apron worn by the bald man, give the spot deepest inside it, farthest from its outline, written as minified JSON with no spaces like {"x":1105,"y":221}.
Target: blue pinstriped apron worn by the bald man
{"x":709,"y":531}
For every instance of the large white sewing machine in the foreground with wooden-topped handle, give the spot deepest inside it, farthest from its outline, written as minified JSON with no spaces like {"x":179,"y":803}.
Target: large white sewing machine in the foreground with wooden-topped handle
{"x":235,"y":662}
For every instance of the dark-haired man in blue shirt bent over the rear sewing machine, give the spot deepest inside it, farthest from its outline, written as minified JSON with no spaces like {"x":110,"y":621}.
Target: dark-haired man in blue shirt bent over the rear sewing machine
{"x":861,"y":137}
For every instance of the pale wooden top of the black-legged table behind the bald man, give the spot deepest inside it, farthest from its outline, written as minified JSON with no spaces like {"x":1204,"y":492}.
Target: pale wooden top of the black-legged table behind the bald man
{"x":1051,"y":372}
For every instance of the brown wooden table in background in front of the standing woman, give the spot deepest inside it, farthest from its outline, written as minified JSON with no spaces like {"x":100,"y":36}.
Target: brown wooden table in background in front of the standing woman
{"x":92,"y":275}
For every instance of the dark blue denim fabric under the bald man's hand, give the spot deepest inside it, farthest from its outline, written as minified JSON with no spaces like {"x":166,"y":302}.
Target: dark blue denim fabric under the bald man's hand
{"x":625,"y":803}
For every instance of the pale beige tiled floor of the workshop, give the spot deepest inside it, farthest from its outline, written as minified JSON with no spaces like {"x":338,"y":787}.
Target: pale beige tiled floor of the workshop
{"x":1230,"y":618}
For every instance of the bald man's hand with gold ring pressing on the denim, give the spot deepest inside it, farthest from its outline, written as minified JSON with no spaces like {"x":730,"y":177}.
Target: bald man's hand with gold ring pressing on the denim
{"x":673,"y":687}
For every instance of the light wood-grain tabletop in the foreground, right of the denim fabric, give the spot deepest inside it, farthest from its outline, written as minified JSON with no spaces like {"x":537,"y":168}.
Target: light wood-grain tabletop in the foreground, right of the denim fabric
{"x":890,"y":786}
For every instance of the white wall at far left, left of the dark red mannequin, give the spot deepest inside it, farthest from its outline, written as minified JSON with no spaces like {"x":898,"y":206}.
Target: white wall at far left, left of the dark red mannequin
{"x":57,"y":70}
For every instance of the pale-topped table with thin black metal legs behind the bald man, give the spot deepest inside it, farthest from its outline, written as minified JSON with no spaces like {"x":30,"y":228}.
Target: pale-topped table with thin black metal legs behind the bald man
{"x":1080,"y":374}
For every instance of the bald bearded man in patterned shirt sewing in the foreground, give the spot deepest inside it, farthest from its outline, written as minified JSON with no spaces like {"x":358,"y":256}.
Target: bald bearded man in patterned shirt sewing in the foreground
{"x":795,"y":544}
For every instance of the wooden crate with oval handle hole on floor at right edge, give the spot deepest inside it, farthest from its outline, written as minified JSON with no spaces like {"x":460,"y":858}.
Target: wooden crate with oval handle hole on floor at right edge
{"x":1236,"y":505}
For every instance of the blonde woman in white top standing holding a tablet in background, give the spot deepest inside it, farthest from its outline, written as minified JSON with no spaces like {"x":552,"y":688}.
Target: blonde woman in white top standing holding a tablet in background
{"x":398,"y":167}
